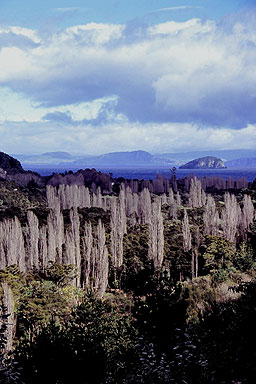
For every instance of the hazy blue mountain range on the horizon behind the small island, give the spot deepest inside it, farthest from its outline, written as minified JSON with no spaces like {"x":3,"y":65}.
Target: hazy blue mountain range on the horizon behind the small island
{"x":240,"y":158}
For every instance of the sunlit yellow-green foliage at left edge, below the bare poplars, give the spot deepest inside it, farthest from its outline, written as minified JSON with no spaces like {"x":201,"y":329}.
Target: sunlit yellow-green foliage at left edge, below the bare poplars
{"x":42,"y":297}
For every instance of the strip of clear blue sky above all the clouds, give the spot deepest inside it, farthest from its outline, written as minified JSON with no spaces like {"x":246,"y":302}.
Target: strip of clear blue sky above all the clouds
{"x":29,"y":13}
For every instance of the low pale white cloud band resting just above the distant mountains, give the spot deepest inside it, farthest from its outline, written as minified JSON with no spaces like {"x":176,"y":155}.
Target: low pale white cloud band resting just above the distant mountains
{"x":89,"y":139}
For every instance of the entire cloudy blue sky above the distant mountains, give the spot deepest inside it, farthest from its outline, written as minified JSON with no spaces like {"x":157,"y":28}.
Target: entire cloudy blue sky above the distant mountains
{"x":97,"y":76}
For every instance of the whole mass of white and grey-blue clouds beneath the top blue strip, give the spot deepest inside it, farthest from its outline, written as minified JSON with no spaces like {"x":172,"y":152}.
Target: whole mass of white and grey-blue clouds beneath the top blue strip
{"x":153,"y":89}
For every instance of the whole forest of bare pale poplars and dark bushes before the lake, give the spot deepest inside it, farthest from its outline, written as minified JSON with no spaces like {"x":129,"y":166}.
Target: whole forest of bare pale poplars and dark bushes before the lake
{"x":106,"y":280}
